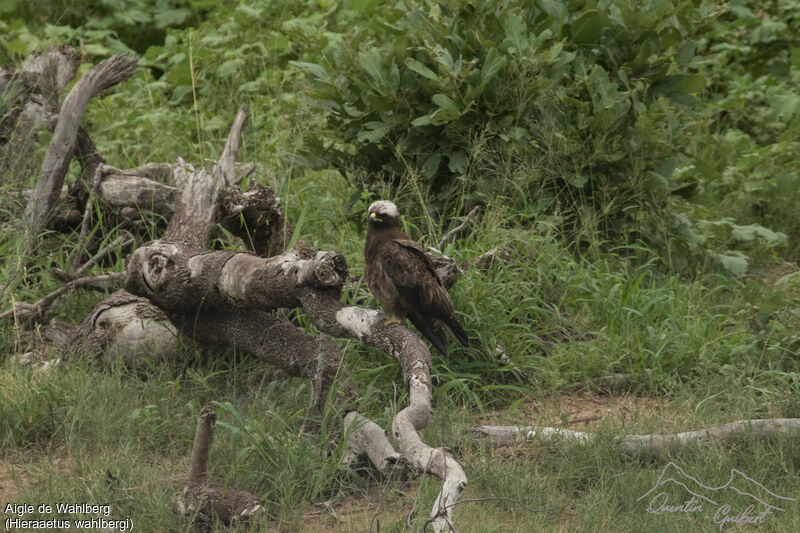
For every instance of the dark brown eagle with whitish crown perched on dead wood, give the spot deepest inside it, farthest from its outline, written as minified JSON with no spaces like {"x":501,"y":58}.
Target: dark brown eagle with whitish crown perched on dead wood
{"x":401,"y":276}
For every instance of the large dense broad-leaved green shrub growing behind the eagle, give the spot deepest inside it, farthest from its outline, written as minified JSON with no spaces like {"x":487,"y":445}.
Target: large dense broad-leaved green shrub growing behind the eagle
{"x":570,"y":103}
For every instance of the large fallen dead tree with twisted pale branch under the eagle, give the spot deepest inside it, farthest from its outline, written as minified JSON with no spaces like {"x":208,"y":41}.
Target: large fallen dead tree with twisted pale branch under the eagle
{"x":221,"y":298}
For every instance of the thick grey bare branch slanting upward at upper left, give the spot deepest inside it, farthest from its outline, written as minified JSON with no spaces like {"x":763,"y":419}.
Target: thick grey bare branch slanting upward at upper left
{"x":62,"y":146}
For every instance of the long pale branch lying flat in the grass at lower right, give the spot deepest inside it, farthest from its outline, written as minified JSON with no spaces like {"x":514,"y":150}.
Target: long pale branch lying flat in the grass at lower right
{"x":656,"y":444}
